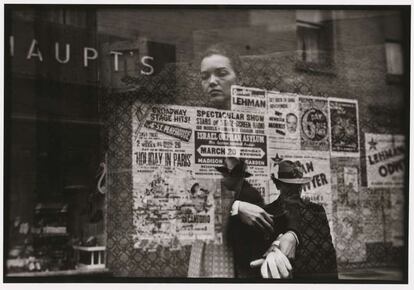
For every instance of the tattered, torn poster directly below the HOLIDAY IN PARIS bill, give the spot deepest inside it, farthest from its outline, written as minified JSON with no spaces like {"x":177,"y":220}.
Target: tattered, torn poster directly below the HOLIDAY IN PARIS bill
{"x":171,"y":208}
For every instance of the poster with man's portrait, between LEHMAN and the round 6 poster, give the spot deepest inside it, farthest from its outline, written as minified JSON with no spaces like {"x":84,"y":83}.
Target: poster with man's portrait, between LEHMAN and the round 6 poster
{"x":283,"y":120}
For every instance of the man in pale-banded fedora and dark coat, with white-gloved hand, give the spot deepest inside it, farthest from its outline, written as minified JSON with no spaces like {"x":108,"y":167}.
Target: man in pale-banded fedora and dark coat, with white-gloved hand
{"x":315,"y":258}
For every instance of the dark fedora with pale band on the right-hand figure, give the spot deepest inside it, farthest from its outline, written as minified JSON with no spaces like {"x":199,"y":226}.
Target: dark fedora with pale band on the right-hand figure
{"x":291,"y":172}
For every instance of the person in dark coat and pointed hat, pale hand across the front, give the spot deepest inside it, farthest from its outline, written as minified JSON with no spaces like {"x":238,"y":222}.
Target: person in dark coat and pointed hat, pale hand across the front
{"x":253,"y":226}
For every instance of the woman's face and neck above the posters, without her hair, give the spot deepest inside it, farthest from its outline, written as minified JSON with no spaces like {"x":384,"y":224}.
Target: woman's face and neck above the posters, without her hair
{"x":217,"y":76}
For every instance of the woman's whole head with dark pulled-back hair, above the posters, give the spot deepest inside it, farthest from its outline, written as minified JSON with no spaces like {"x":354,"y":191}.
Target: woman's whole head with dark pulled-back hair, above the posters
{"x":220,"y":68}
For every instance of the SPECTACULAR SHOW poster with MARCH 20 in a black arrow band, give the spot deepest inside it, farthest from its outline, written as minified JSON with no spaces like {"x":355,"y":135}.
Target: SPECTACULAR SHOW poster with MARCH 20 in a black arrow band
{"x":220,"y":134}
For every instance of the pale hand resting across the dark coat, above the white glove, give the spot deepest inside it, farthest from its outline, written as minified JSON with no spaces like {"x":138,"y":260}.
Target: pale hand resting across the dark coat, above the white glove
{"x":256,"y":216}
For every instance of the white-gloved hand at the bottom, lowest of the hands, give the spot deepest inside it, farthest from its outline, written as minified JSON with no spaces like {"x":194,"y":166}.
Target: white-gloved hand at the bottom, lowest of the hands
{"x":274,"y":265}
